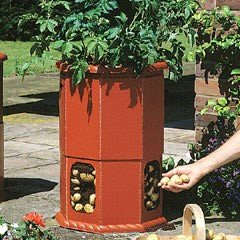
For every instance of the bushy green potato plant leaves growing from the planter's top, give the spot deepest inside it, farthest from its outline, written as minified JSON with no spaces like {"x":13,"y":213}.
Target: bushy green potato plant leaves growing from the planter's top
{"x":116,"y":33}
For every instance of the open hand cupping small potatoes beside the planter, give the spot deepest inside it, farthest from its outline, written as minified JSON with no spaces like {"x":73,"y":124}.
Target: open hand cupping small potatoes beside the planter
{"x":194,"y":171}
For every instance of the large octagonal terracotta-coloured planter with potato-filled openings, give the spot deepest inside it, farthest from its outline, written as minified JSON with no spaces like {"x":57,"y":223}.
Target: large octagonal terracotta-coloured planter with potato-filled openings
{"x":111,"y":143}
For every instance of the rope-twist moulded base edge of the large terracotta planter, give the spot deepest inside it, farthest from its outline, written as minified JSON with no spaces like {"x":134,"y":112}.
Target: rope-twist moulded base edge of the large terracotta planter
{"x":94,"y":228}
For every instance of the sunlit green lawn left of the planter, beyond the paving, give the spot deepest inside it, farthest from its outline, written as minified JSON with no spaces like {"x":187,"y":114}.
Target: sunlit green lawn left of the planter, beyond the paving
{"x":18,"y":53}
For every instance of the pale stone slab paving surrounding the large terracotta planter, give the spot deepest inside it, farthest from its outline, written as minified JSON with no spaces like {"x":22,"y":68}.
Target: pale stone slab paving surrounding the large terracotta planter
{"x":32,"y":157}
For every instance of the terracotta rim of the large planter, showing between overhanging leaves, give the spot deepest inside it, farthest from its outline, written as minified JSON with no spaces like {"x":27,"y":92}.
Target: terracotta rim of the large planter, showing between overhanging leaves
{"x":99,"y":69}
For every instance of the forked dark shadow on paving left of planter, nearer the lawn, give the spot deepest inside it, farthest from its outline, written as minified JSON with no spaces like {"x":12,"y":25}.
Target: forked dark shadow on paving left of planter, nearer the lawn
{"x":48,"y":105}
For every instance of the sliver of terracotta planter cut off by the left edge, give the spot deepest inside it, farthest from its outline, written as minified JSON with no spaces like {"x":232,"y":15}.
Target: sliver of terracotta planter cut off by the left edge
{"x":3,"y":57}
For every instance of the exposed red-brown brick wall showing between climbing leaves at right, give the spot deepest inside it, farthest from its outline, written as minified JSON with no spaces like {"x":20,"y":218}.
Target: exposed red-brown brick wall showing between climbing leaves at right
{"x":208,"y":86}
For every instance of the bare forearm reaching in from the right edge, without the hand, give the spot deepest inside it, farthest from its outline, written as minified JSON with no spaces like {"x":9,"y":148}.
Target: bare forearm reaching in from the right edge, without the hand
{"x":227,"y":153}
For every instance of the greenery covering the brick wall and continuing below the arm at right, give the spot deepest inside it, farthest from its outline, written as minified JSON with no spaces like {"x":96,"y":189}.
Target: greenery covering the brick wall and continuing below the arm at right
{"x":218,"y":48}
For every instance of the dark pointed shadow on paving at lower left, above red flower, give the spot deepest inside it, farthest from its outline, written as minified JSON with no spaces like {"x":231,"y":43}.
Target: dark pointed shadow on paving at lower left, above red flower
{"x":15,"y":188}
